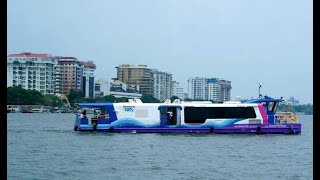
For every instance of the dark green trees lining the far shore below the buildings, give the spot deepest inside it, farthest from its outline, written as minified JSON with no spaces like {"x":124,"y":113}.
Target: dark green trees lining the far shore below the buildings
{"x":19,"y":96}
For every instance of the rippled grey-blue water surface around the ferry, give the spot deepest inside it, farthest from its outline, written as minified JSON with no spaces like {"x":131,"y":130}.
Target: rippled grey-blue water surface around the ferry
{"x":44,"y":146}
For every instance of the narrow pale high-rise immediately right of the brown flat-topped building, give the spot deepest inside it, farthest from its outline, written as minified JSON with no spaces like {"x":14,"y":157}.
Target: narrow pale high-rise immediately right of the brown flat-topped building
{"x":162,"y":84}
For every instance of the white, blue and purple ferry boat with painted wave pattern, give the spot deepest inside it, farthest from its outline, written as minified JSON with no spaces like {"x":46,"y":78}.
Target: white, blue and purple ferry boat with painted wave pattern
{"x":254,"y":116}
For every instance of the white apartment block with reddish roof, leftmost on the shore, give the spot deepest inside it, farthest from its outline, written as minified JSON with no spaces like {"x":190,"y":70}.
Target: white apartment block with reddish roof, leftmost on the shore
{"x":31,"y":71}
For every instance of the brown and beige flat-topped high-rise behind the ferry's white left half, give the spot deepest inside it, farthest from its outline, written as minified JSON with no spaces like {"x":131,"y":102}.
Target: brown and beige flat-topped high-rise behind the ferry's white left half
{"x":137,"y":75}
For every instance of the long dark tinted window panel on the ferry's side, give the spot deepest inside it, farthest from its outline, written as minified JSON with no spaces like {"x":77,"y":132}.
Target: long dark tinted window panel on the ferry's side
{"x":200,"y":114}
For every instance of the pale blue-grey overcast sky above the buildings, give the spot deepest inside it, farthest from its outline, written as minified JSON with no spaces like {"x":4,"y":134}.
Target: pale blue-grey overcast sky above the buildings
{"x":243,"y":41}
